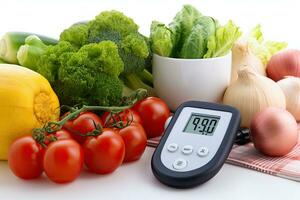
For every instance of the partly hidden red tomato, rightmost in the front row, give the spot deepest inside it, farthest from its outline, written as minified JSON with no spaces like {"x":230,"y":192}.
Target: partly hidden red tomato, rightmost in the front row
{"x":135,"y":140}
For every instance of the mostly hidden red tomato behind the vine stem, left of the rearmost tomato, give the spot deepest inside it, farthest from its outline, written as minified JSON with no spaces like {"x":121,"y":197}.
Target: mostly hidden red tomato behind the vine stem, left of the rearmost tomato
{"x":126,"y":115}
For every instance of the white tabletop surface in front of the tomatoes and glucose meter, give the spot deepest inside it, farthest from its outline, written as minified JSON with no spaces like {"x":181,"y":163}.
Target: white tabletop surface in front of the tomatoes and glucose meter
{"x":135,"y":181}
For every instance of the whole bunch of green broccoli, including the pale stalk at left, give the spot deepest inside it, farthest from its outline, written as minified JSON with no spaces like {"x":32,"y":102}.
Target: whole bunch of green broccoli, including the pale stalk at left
{"x":104,"y":56}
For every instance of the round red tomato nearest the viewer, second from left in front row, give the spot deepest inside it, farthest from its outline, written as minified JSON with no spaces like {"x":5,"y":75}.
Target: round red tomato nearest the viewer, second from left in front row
{"x":63,"y":160}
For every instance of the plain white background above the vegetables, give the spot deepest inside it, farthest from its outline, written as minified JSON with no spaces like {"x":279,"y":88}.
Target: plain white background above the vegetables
{"x":279,"y":18}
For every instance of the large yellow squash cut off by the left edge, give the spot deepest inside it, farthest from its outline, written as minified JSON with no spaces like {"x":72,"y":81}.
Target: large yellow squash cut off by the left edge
{"x":27,"y":101}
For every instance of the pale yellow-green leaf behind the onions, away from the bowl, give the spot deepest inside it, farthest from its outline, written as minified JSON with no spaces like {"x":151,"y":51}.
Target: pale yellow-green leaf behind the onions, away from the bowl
{"x":263,"y":49}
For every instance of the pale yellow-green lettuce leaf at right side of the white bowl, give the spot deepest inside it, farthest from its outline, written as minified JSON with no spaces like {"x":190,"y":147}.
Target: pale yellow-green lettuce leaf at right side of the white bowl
{"x":221,"y":43}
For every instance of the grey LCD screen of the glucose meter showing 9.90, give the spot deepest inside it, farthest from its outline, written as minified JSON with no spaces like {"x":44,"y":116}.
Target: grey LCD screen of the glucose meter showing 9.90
{"x":202,"y":124}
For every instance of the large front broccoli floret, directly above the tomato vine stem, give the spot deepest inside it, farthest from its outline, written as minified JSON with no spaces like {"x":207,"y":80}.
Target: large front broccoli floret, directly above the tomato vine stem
{"x":90,"y":76}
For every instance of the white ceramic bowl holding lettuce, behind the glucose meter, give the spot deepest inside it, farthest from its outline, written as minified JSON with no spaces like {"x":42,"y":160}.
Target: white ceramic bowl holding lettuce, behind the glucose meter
{"x":178,"y":80}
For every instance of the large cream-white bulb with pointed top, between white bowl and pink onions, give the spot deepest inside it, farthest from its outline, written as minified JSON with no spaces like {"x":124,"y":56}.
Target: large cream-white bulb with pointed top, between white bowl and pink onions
{"x":252,"y":92}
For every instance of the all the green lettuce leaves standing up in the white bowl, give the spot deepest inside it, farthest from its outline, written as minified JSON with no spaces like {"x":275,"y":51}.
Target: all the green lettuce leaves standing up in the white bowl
{"x":192,"y":35}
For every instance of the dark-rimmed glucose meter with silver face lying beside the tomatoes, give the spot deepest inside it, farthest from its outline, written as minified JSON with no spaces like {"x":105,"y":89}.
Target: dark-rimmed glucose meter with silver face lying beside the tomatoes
{"x":195,"y":144}
